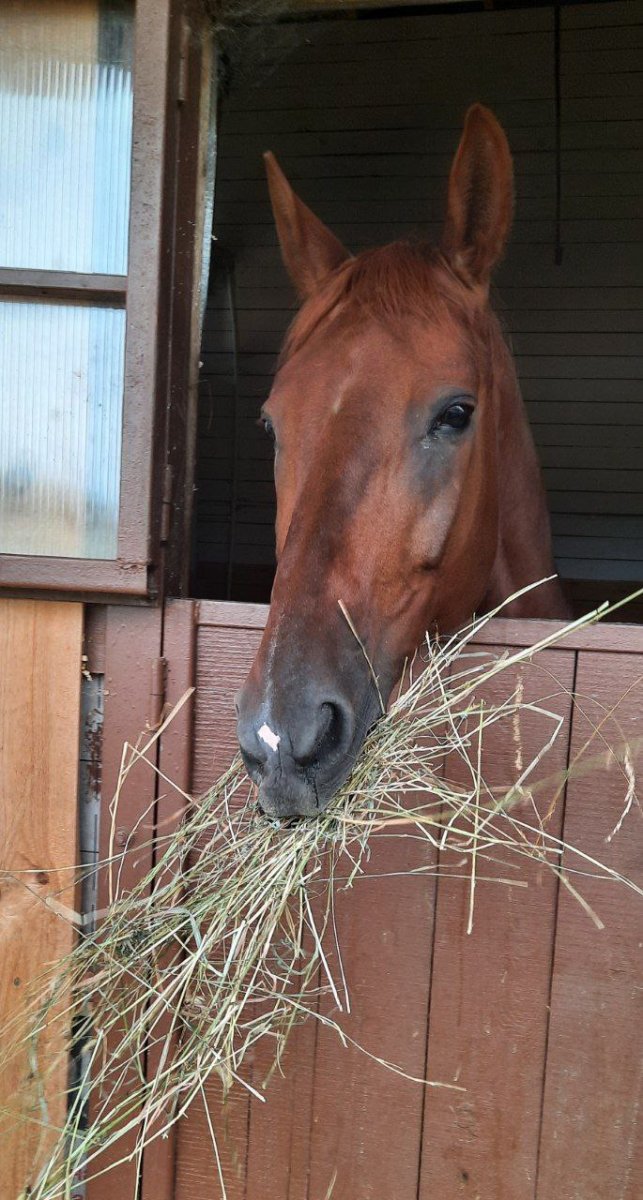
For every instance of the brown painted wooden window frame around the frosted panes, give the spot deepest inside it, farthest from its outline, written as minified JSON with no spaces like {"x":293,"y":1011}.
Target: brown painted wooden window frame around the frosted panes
{"x":142,"y":293}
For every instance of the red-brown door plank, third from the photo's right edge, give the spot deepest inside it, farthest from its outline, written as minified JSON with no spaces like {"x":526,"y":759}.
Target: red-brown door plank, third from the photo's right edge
{"x":360,"y":1108}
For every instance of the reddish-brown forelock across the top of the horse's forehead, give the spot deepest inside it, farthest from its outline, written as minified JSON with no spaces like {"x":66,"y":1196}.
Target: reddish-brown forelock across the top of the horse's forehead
{"x":389,"y":284}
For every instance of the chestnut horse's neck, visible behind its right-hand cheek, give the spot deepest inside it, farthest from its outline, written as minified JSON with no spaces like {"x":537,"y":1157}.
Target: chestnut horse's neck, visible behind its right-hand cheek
{"x":525,"y":544}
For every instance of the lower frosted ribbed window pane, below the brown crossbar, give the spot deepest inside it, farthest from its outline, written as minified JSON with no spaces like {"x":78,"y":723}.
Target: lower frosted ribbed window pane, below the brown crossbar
{"x":61,"y":429}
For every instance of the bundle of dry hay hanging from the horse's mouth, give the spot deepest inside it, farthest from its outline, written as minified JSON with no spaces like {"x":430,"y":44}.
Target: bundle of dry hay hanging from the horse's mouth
{"x":223,"y":945}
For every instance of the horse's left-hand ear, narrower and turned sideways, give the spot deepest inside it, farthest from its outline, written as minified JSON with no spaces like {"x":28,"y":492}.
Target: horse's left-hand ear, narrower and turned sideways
{"x":309,"y":249}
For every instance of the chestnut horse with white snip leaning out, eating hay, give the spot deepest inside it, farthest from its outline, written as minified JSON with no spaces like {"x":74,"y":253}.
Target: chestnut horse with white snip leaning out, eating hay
{"x":410,"y":495}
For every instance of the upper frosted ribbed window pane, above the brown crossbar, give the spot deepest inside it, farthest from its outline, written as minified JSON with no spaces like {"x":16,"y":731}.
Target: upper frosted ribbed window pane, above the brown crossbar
{"x":65,"y":136}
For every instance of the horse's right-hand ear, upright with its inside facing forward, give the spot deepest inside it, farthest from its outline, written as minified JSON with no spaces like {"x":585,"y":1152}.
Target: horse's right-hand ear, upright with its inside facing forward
{"x":480,"y":202}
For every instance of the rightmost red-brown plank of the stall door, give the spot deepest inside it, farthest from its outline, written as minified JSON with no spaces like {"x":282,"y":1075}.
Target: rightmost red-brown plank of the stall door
{"x":593,"y":1135}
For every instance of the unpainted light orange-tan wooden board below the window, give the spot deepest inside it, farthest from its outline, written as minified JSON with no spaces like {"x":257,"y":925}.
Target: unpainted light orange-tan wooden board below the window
{"x":40,"y":725}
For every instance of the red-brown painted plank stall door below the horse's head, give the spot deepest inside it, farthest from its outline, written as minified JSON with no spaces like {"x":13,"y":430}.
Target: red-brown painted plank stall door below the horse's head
{"x":537,"y":1015}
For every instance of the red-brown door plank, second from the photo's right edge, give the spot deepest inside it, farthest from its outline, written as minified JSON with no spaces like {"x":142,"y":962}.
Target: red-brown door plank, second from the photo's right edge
{"x":491,"y":991}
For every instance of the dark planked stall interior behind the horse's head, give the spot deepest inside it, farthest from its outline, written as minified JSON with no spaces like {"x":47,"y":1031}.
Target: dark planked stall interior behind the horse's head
{"x":365,"y":115}
